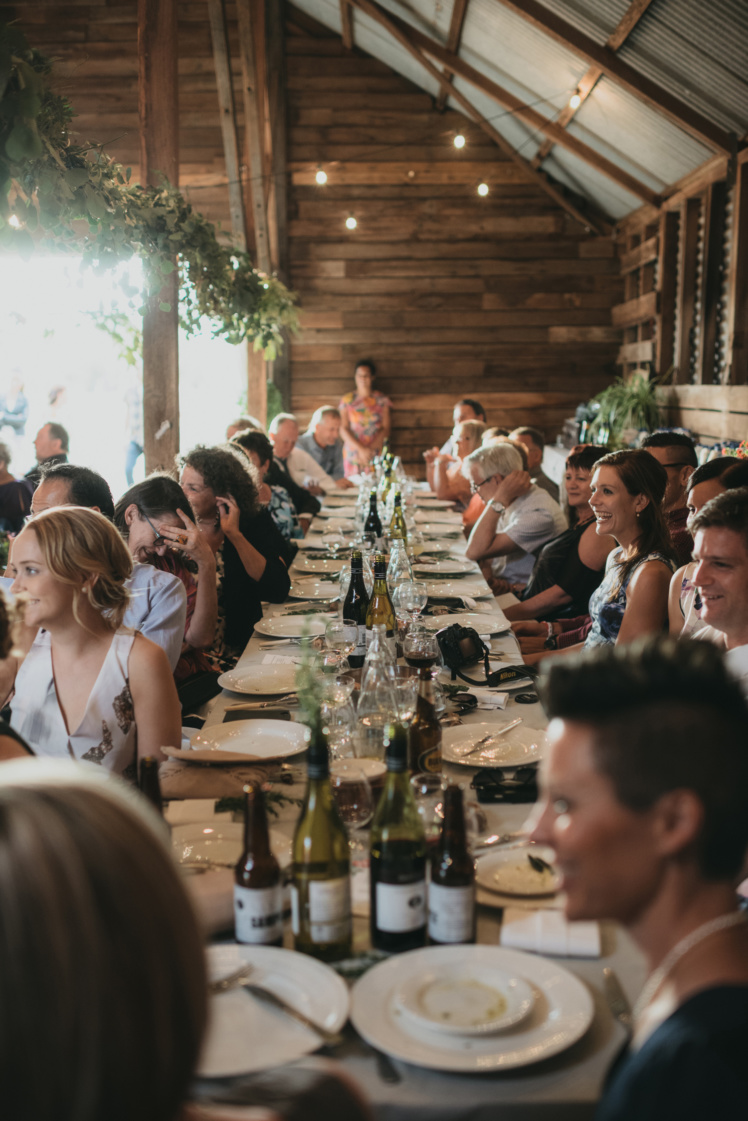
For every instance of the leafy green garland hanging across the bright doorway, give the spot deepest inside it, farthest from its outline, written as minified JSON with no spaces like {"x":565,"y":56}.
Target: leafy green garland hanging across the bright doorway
{"x":54,"y":192}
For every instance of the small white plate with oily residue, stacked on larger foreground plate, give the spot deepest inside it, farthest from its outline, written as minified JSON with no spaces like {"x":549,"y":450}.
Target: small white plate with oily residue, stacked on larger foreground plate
{"x":464,"y":999}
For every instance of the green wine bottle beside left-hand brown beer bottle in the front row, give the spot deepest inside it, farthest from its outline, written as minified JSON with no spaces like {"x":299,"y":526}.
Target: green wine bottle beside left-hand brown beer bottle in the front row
{"x":321,"y":888}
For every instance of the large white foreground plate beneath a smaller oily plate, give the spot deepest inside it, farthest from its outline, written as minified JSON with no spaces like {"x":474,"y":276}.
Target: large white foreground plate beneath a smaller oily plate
{"x":562,"y":1014}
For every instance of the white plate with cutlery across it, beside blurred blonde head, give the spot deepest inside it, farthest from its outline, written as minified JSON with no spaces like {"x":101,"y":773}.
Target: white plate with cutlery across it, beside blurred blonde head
{"x":246,"y":1034}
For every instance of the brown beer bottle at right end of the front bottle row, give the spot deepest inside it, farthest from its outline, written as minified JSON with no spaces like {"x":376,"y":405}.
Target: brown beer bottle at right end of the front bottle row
{"x":453,"y":890}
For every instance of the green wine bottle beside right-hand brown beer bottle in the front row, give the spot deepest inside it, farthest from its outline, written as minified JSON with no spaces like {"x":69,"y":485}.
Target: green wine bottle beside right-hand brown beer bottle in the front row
{"x":399,"y":857}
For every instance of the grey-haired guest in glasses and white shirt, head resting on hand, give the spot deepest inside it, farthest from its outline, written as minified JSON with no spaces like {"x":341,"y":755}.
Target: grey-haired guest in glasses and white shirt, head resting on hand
{"x":519,"y":518}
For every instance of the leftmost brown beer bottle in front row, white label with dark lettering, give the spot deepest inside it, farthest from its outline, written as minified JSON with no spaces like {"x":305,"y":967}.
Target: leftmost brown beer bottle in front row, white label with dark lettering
{"x":258,"y":890}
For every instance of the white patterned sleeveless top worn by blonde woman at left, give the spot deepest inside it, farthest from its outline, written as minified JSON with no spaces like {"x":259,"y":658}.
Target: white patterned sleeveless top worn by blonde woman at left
{"x":107,"y":734}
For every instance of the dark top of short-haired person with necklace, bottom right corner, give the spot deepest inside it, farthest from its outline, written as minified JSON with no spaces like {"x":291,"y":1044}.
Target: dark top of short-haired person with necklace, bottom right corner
{"x":694,"y":1067}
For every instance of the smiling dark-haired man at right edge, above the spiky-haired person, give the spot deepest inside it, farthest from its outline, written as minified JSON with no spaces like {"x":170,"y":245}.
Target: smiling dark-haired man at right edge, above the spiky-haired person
{"x":721,"y":548}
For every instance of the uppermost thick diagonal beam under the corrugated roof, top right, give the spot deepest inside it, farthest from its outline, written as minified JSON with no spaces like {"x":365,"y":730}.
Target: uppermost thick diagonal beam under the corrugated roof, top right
{"x":625,"y":76}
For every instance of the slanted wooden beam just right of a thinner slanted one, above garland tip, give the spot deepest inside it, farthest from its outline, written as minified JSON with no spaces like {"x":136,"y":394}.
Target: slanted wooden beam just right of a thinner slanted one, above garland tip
{"x":254,"y":133}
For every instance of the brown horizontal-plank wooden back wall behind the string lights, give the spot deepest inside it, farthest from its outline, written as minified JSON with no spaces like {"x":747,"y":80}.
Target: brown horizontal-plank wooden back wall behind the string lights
{"x":505,"y":299}
